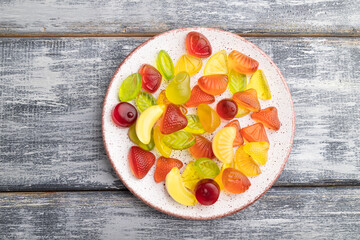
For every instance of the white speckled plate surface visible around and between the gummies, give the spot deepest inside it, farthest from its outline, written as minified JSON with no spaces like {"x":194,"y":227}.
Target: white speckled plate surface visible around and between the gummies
{"x":117,"y":143}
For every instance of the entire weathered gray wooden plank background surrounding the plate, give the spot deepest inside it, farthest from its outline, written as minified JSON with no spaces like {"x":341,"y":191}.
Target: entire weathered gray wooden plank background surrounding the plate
{"x":56,"y":60}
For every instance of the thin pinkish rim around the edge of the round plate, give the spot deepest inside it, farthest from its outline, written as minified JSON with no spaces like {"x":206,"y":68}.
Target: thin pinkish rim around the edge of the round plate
{"x":195,"y":29}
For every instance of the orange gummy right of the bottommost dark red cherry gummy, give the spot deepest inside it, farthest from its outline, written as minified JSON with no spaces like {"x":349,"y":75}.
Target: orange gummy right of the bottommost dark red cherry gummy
{"x":234,"y":181}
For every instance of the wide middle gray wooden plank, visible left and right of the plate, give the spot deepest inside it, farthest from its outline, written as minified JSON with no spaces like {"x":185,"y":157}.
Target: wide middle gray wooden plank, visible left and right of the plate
{"x":51,"y":98}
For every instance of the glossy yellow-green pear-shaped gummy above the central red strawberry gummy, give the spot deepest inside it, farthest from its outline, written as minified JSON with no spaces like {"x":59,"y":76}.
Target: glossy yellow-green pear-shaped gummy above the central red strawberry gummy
{"x":178,"y":91}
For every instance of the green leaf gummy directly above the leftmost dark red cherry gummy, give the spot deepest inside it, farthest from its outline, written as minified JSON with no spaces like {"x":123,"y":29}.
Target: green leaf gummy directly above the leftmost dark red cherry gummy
{"x":130,"y":87}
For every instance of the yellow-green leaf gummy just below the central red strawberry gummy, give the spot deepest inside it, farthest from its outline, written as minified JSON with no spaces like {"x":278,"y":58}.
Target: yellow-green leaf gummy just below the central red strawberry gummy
{"x":179,"y":140}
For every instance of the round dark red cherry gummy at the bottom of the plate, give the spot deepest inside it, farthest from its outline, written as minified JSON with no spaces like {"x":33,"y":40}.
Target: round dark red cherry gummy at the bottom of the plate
{"x":207,"y":191}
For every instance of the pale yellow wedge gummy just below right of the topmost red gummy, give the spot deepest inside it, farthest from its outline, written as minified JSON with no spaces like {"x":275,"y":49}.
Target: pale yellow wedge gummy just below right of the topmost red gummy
{"x":217,"y":64}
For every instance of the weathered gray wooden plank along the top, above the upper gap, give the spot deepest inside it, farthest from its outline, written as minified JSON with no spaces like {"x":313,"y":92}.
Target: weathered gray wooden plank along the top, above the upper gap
{"x":320,"y":17}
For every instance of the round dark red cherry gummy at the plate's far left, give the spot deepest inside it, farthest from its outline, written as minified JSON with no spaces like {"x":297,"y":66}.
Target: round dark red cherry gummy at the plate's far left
{"x":124,"y":114}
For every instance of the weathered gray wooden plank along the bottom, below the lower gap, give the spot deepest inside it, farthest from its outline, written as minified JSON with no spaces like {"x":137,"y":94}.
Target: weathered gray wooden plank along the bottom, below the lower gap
{"x":287,"y":213}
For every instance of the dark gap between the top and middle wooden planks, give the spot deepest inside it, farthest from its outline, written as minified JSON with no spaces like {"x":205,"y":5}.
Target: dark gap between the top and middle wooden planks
{"x":151,"y":34}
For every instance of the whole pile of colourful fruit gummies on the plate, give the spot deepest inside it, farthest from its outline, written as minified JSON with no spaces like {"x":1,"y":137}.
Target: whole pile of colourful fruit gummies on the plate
{"x":164,"y":123}
